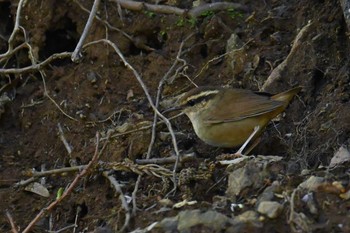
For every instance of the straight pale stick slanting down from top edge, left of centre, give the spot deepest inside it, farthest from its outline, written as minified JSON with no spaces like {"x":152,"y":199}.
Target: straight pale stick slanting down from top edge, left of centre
{"x":76,"y":55}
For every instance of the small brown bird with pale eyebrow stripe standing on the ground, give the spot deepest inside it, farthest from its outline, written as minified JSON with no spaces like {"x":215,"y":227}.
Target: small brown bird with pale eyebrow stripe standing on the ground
{"x":226,"y":117}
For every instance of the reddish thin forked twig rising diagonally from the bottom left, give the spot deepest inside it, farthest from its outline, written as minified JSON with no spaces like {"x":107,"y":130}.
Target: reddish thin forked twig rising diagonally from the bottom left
{"x":71,"y":186}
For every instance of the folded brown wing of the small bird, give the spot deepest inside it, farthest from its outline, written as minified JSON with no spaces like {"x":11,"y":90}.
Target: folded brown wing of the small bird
{"x":239,"y":105}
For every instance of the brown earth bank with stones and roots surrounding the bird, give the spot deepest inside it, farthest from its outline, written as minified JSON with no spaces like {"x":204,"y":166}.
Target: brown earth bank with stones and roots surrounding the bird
{"x":50,"y":113}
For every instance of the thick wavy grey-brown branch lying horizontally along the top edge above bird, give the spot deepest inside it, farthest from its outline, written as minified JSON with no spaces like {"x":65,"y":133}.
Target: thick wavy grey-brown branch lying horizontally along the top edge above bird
{"x":164,"y":9}
